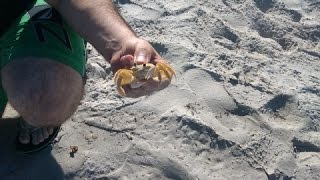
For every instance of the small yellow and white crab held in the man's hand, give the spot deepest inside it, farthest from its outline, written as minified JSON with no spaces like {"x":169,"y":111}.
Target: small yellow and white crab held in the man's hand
{"x":139,"y":74}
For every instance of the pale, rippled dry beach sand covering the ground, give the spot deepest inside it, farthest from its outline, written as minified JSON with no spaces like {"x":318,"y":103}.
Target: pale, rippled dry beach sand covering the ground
{"x":245,"y":103}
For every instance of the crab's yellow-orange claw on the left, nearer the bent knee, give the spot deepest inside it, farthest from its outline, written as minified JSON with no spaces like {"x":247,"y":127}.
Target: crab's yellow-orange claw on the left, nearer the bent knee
{"x":123,"y":77}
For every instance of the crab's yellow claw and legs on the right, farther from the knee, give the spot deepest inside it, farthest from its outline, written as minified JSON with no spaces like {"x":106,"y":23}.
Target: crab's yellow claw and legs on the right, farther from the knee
{"x":164,"y":70}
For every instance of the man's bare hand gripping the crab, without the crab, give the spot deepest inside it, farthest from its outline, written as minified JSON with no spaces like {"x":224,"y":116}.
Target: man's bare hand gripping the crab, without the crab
{"x":138,"y":51}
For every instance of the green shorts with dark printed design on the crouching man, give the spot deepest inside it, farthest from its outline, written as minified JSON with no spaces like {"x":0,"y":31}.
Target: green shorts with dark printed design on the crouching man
{"x":41,"y":32}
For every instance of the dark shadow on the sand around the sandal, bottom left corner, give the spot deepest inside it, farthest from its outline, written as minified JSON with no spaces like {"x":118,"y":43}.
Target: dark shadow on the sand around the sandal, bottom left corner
{"x":40,"y":165}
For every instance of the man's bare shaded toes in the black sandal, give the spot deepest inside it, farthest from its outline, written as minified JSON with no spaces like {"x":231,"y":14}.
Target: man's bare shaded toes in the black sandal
{"x":36,"y":135}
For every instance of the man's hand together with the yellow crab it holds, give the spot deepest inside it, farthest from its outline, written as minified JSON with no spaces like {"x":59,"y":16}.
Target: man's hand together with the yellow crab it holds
{"x":139,"y":69}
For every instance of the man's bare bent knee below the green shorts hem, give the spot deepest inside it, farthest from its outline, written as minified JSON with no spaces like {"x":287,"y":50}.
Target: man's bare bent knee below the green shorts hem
{"x":44,"y":92}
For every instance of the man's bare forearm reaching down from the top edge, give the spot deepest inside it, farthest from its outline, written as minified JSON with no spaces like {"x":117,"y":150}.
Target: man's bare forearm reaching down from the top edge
{"x":97,"y":21}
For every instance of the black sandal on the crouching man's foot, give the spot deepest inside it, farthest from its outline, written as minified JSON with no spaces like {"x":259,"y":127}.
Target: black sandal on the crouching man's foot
{"x":31,"y":148}
